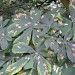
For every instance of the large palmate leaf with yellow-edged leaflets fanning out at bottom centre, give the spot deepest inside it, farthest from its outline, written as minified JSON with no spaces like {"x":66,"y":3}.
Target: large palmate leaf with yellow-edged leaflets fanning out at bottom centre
{"x":27,"y":62}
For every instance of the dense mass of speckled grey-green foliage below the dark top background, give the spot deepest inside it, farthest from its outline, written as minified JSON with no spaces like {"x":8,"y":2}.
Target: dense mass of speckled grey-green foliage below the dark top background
{"x":38,"y":41}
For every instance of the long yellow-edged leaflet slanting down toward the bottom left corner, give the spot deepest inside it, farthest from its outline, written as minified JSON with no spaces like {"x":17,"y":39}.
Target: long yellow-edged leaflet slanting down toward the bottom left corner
{"x":17,"y":66}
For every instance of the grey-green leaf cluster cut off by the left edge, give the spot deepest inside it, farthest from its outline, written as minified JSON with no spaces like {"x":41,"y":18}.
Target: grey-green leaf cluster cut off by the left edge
{"x":4,"y":38}
